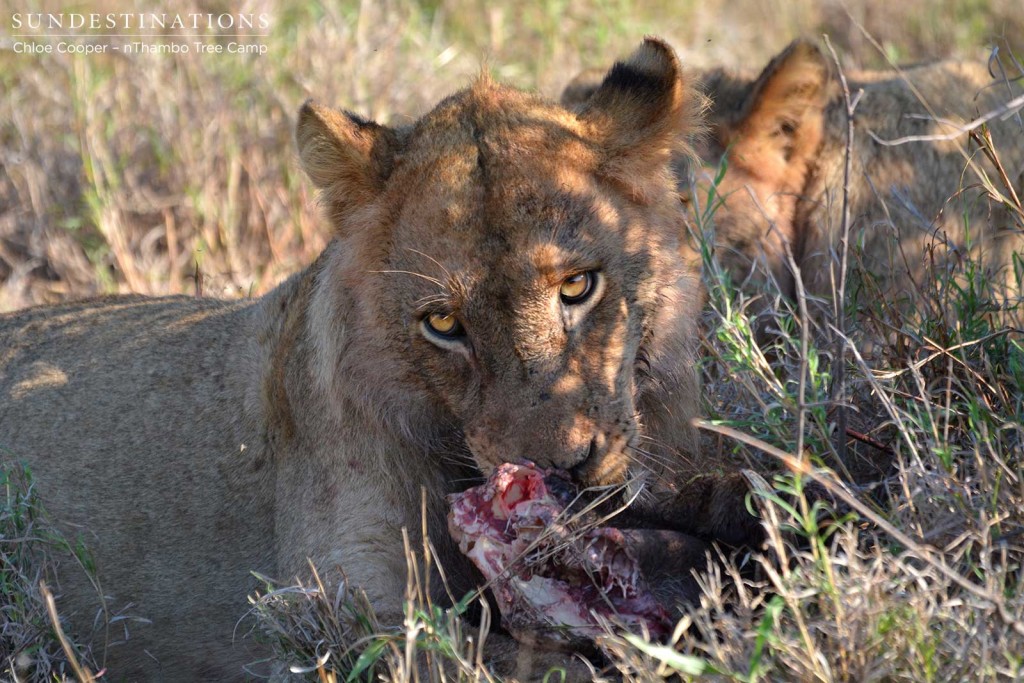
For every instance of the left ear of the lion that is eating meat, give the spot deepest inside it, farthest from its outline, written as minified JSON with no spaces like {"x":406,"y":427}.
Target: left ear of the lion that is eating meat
{"x":347,"y":157}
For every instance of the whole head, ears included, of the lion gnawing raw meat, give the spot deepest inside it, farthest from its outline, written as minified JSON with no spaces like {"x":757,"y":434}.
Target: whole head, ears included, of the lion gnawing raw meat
{"x":523,"y":264}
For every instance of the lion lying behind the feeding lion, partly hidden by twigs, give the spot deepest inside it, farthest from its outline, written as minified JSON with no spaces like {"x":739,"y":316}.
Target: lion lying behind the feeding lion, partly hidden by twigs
{"x":918,"y":208}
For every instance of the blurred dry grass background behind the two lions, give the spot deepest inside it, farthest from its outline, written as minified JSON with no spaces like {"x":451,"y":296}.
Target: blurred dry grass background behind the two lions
{"x":133,"y":174}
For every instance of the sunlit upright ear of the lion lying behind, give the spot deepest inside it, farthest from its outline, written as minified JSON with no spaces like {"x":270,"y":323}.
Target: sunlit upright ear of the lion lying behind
{"x":783,"y":117}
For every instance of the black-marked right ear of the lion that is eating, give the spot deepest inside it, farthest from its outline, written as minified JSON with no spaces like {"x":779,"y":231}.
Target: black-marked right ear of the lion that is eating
{"x":642,"y":113}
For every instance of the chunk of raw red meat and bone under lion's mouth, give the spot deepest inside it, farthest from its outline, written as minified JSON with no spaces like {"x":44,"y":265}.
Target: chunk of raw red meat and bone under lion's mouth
{"x":556,"y":577}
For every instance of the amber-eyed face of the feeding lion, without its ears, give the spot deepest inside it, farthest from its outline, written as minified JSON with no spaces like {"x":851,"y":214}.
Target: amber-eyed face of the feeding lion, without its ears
{"x":527,"y":320}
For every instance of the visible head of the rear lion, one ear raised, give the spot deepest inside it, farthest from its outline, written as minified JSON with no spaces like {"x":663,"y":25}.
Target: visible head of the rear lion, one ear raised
{"x":765,"y":135}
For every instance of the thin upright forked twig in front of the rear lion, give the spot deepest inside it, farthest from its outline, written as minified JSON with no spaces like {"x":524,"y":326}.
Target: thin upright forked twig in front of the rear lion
{"x":839,"y":307}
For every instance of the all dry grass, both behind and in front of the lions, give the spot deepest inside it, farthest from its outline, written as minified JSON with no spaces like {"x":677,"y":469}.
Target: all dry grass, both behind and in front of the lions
{"x":178,"y":175}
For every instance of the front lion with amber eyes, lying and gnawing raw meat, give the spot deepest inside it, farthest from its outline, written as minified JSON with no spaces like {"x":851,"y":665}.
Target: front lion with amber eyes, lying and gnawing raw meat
{"x":504,"y":282}
